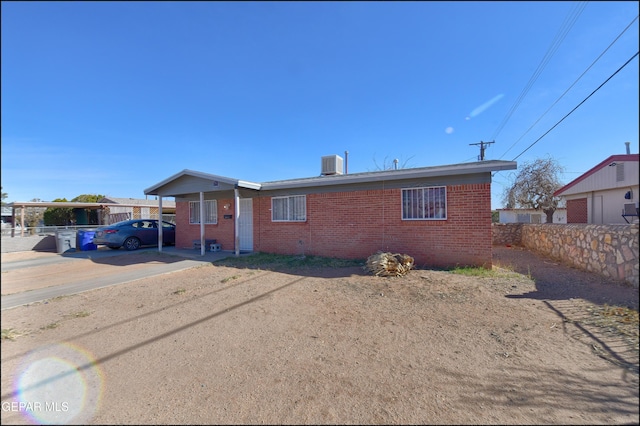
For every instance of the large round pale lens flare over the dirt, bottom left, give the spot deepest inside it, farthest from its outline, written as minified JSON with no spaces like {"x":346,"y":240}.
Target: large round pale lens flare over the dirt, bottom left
{"x":59,"y":384}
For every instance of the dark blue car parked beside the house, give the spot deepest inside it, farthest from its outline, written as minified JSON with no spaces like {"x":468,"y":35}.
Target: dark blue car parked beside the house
{"x":135,"y":233}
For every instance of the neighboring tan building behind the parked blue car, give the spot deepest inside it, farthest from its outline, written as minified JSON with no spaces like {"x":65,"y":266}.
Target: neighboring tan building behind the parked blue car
{"x":134,"y":208}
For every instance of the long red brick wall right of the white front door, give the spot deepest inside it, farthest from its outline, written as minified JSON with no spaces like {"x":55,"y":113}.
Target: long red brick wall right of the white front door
{"x":357,"y":224}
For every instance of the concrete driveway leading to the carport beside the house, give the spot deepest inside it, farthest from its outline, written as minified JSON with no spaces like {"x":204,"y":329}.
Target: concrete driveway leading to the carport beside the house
{"x":29,"y":277}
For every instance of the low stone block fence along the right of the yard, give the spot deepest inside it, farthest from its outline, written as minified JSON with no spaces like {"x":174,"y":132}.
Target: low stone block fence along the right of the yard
{"x":609,"y":250}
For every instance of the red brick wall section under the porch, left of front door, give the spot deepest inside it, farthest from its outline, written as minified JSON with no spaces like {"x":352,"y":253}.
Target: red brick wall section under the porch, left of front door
{"x":223,"y":231}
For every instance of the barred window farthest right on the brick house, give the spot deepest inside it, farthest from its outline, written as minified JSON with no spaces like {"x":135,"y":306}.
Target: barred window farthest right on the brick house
{"x":424,"y":203}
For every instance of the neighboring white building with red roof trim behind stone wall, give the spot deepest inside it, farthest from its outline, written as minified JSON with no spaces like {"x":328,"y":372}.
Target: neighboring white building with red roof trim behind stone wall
{"x":604,"y":193}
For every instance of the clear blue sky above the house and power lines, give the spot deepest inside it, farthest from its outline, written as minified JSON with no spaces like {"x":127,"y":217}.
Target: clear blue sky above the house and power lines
{"x":113,"y":97}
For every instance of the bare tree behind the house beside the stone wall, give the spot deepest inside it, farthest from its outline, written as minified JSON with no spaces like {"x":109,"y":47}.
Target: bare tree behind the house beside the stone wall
{"x":534,"y":185}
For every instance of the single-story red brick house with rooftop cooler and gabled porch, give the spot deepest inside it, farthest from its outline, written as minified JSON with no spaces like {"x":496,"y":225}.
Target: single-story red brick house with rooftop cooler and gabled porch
{"x":439,"y":215}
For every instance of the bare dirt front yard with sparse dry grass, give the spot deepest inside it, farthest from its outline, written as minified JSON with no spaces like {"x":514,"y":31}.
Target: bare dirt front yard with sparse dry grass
{"x":532,"y":342}
